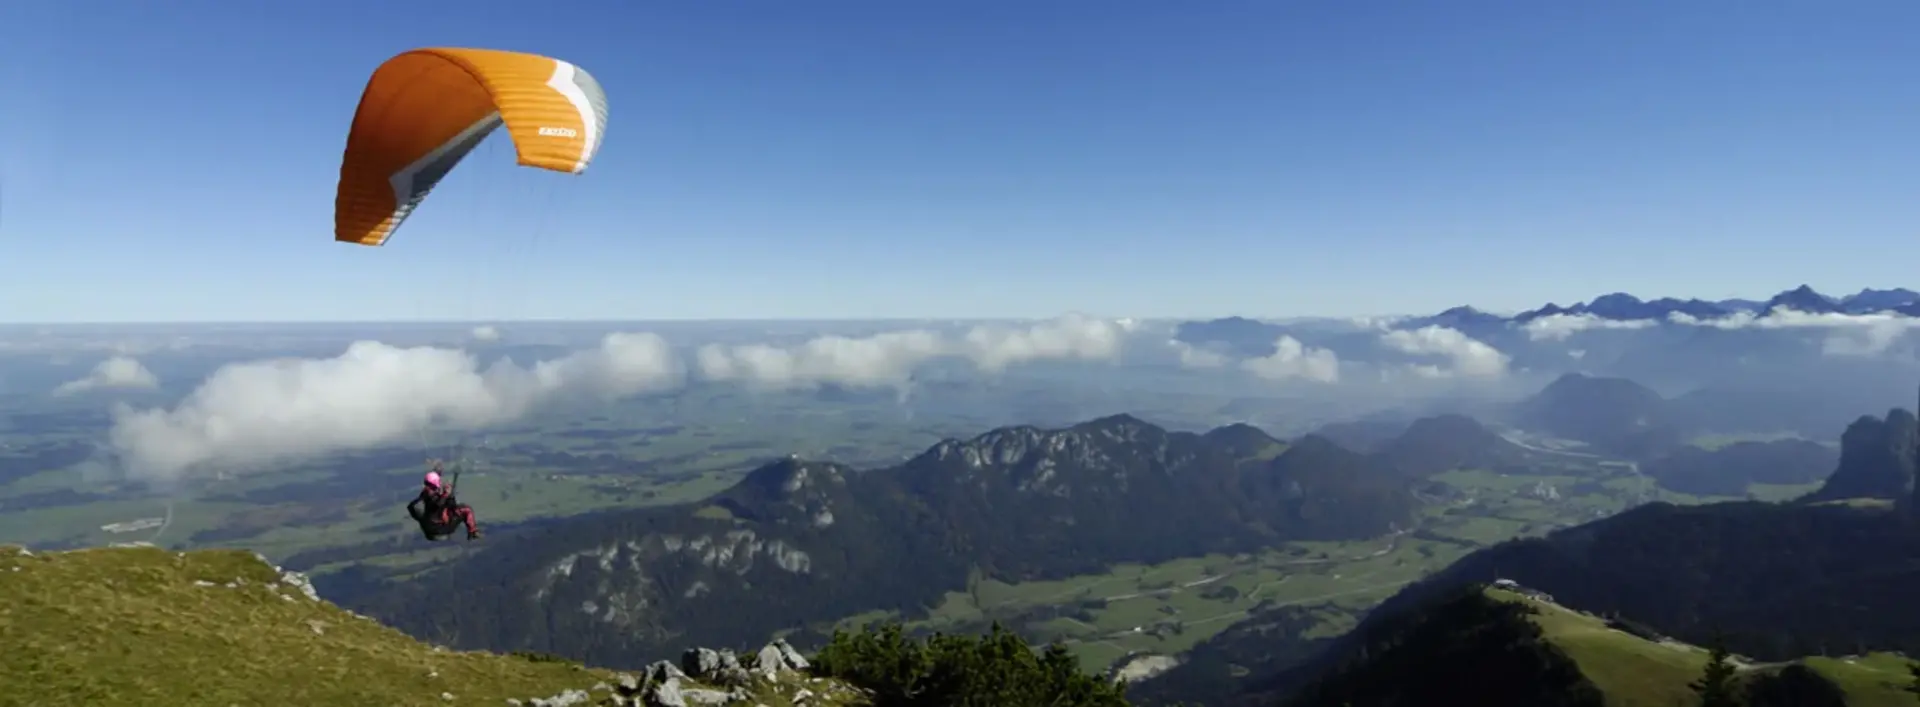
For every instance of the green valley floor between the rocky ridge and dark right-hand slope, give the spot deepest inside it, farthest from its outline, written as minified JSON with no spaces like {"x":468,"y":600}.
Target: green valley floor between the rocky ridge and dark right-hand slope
{"x":1337,"y":581}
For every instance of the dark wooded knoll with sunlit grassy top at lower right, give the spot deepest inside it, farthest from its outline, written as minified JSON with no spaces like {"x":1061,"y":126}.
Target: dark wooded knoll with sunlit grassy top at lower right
{"x":1495,"y":648}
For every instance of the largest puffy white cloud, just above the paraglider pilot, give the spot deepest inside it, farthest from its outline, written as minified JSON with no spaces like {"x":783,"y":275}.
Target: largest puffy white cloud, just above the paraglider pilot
{"x":262,"y":412}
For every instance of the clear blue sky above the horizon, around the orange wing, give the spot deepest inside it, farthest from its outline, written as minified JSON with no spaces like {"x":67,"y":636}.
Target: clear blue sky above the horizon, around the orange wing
{"x":986,"y":158}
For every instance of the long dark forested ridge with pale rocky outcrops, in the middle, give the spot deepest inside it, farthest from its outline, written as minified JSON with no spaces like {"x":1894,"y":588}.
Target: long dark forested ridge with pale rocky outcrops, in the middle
{"x":800,"y":545}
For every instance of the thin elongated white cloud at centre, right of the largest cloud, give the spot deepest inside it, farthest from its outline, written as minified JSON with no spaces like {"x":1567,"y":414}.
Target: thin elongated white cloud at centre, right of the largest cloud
{"x":890,"y":360}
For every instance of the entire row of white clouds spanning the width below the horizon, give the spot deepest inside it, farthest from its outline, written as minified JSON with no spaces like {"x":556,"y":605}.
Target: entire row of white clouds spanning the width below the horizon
{"x":373,"y":395}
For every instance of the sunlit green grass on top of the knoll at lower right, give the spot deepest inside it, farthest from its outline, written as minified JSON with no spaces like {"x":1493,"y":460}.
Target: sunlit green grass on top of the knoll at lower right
{"x":1639,"y":673}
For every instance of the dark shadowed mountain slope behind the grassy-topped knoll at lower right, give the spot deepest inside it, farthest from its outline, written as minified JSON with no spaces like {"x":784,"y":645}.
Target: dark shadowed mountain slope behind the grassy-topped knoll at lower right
{"x":1773,"y":583}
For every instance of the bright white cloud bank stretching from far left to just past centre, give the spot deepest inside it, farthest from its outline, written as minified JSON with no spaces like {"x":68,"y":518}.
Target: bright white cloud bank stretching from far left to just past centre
{"x":256,"y":414}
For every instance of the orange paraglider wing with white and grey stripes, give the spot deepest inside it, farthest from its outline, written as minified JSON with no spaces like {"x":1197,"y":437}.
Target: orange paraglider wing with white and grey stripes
{"x":425,"y":110}
